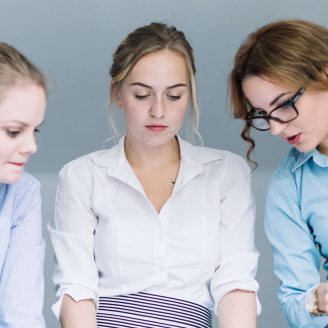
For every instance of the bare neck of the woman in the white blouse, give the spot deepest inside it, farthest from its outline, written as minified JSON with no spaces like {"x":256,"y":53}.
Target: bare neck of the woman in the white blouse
{"x":152,"y":156}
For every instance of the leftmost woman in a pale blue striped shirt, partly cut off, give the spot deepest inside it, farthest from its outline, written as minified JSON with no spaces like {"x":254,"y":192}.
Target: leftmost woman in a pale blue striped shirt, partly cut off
{"x":22,"y":107}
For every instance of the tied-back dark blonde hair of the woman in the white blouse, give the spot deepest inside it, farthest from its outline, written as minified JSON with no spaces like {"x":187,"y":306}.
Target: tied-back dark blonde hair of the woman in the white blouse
{"x":149,"y":39}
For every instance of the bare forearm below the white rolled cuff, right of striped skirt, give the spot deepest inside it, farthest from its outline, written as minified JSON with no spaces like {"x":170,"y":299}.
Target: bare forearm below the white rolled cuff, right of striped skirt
{"x":237,"y":309}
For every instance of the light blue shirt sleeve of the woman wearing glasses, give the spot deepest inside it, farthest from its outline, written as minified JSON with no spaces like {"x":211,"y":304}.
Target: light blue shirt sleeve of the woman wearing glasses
{"x":296,"y":257}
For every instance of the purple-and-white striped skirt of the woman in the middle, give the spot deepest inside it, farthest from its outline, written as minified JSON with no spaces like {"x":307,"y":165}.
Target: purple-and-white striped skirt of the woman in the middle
{"x":148,"y":310}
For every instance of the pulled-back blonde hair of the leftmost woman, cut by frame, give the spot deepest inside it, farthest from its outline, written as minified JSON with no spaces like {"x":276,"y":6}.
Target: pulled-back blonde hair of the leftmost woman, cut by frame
{"x":16,"y":69}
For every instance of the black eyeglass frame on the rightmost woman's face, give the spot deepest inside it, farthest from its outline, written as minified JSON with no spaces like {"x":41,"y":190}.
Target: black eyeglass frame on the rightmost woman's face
{"x":290,"y":102}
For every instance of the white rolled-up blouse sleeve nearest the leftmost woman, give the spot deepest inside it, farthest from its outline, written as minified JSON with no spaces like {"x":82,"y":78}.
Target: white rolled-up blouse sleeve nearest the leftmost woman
{"x":72,"y":237}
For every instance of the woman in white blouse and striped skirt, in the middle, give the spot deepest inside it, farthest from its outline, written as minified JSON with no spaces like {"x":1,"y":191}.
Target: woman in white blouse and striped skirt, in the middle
{"x":155,"y":232}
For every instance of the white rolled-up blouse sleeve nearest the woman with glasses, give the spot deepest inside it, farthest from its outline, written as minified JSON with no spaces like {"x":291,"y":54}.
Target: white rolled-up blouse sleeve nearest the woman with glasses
{"x":238,"y":265}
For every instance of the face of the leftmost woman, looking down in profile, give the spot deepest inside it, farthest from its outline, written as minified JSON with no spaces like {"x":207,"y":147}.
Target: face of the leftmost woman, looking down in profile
{"x":21,"y":113}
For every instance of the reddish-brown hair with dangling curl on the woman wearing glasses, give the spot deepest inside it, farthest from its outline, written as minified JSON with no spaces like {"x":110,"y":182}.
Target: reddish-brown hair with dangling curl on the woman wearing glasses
{"x":293,"y":53}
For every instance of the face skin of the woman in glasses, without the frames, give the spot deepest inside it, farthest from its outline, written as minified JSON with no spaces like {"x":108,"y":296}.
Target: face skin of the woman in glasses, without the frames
{"x":309,"y":129}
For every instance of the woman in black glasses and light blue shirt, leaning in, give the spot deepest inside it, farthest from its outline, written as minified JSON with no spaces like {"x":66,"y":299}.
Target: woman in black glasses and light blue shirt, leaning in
{"x":280,"y":83}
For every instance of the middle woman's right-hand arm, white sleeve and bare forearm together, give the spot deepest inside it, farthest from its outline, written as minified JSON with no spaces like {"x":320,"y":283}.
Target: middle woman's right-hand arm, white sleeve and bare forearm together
{"x":233,"y":285}
